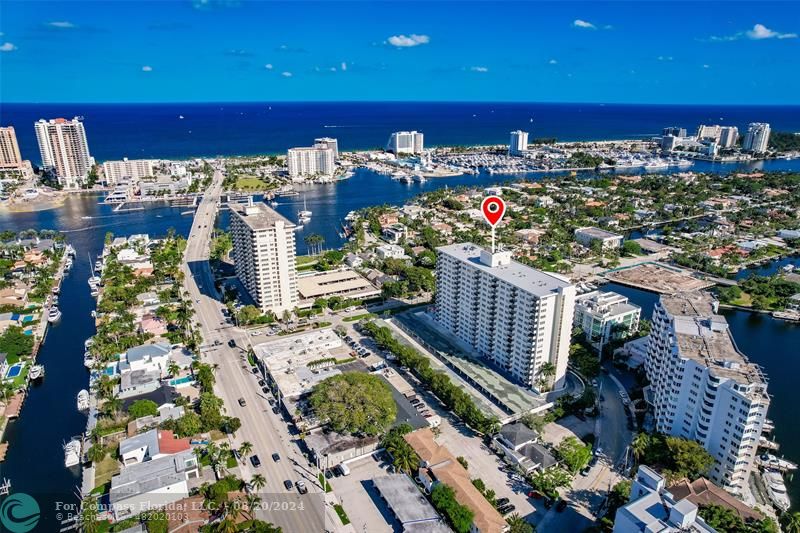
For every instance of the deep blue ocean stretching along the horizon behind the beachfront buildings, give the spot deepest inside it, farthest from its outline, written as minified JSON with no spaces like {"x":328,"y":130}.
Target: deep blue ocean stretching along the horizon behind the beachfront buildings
{"x":158,"y":131}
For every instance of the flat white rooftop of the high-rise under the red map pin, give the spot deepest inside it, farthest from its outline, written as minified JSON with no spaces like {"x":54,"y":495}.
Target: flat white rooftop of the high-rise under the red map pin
{"x":521,"y":276}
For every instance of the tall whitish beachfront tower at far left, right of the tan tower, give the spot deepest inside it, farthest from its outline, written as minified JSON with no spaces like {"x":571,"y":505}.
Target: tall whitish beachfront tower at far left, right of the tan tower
{"x":64,"y":150}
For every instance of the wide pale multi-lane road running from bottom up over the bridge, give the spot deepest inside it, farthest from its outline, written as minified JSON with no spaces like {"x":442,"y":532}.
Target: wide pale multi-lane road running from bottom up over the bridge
{"x":234,"y":380}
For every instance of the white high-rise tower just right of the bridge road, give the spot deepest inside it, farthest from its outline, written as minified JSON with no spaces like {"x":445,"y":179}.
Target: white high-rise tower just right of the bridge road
{"x":264,"y":256}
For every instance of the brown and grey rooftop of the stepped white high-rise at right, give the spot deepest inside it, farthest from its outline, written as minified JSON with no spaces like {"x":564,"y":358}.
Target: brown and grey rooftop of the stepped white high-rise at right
{"x":704,"y":336}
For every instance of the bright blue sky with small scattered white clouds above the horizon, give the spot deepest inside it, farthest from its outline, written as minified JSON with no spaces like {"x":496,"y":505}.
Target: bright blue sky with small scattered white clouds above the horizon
{"x":206,"y":50}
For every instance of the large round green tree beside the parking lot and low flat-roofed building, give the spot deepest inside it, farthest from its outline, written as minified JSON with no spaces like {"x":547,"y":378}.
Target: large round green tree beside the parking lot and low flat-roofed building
{"x":354,"y":403}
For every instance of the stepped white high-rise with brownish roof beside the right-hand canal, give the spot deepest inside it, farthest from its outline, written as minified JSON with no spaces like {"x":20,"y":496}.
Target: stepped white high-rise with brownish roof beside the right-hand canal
{"x":704,"y":388}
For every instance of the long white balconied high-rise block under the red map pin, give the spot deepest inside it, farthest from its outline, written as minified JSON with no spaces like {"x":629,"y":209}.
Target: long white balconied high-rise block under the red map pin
{"x":517,"y":317}
